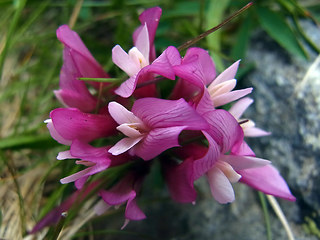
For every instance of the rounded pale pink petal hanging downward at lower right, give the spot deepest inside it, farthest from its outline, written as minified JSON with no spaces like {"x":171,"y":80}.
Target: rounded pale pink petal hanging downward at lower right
{"x":221,"y":188}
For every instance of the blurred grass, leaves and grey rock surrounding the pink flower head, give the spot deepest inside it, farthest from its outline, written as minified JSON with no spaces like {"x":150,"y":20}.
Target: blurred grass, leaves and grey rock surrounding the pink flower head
{"x":279,"y":44}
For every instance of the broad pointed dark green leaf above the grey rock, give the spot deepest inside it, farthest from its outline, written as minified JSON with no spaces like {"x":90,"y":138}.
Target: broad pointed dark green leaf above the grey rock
{"x":276,"y":26}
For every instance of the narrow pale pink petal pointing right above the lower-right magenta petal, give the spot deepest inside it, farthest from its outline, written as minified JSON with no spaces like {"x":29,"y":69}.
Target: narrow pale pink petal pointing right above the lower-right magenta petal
{"x":244,"y":162}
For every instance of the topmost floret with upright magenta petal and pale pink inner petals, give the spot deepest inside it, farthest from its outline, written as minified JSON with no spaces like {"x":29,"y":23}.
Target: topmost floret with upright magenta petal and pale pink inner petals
{"x":139,"y":63}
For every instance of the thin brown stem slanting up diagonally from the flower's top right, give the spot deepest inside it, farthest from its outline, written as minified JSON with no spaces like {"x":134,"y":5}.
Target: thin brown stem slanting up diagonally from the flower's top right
{"x":206,"y":33}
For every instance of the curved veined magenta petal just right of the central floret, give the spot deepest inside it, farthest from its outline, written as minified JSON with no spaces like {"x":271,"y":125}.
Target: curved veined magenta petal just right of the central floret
{"x":224,"y":129}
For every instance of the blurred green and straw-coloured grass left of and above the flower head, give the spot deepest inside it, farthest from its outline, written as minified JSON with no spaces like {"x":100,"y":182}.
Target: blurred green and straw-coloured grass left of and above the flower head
{"x":30,"y":61}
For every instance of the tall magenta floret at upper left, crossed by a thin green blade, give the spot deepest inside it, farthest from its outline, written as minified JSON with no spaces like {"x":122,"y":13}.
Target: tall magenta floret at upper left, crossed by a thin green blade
{"x":77,"y":62}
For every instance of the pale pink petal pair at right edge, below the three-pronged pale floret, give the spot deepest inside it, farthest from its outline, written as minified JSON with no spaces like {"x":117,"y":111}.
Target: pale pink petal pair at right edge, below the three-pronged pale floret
{"x":248,"y":127}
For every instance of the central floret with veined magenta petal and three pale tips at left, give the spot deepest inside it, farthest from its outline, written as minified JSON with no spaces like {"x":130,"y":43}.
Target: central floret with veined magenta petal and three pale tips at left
{"x":153,"y":126}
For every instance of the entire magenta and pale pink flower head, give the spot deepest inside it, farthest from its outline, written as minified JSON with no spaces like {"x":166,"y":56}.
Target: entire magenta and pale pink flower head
{"x":187,"y":132}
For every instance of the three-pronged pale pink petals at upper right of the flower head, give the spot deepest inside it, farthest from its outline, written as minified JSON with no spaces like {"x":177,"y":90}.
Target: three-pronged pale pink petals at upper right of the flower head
{"x":221,"y":88}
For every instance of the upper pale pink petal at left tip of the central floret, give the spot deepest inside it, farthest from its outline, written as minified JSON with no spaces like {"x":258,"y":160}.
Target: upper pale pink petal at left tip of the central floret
{"x":121,"y":115}
